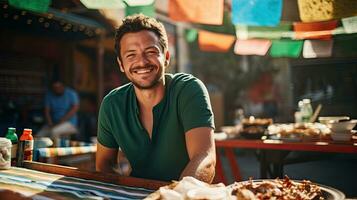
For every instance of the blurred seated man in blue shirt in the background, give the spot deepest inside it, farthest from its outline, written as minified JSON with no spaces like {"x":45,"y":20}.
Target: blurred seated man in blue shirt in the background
{"x":61,"y":106}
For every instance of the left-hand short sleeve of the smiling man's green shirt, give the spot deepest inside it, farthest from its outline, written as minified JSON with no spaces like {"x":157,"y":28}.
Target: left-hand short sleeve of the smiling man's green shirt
{"x":105,"y":135}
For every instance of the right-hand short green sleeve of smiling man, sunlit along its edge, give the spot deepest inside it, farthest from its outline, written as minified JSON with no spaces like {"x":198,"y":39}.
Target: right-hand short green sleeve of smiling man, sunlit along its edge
{"x":195,"y":106}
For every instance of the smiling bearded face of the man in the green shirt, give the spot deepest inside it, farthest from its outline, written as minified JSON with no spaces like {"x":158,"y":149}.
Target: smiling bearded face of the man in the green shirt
{"x":143,"y":61}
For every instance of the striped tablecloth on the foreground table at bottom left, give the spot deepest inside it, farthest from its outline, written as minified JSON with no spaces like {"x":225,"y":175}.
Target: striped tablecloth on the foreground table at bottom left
{"x":40,"y":185}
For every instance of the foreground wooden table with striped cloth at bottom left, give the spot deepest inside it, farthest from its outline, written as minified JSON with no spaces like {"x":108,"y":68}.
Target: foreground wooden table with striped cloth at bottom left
{"x":39,"y":180}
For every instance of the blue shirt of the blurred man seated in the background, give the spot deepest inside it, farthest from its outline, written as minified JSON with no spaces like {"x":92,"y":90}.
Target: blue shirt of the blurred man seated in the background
{"x":60,"y":105}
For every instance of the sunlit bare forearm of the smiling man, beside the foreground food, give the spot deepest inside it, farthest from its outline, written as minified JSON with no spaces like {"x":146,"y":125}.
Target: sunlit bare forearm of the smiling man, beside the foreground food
{"x":201,"y":167}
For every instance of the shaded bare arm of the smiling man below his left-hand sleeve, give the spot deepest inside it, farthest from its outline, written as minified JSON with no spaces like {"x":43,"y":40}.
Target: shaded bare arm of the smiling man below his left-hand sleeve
{"x":106,"y":159}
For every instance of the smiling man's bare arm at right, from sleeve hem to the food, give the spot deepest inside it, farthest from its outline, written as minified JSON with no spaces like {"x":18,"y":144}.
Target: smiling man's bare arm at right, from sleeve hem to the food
{"x":202,"y":153}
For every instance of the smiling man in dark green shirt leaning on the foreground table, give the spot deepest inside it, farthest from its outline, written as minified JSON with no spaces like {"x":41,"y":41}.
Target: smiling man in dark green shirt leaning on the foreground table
{"x":162,"y":122}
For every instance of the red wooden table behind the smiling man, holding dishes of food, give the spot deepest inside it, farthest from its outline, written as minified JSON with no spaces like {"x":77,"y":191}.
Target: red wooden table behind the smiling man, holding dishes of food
{"x":265,"y":145}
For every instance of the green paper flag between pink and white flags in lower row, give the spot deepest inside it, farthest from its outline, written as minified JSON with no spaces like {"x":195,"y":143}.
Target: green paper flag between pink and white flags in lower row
{"x":286,"y":48}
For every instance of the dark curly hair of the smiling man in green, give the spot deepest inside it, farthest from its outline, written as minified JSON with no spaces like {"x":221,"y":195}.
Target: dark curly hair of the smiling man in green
{"x":140,"y":22}
